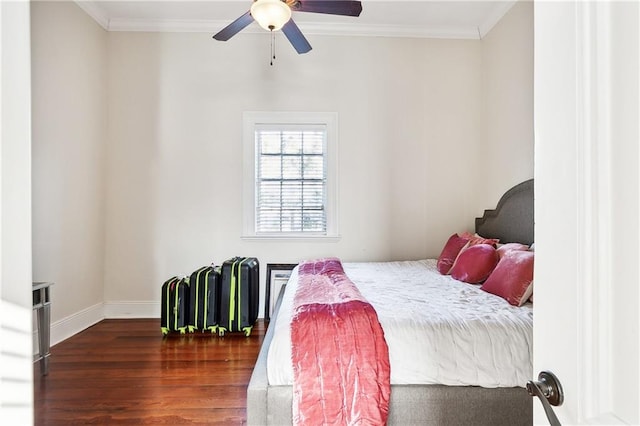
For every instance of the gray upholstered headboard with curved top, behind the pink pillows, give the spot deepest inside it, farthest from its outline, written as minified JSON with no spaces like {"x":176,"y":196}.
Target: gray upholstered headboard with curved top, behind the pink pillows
{"x":512,"y":219}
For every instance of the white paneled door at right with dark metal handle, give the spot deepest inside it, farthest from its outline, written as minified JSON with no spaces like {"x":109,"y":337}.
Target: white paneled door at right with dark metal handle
{"x":586,"y":322}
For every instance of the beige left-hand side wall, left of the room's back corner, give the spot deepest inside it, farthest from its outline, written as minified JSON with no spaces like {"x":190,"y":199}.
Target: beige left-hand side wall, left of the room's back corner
{"x":69,"y":125}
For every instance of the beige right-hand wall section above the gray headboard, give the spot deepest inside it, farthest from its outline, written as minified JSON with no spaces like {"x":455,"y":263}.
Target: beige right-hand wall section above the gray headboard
{"x":507,"y":83}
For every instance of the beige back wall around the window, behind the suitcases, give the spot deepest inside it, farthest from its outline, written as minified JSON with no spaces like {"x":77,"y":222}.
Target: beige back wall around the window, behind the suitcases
{"x":174,"y":198}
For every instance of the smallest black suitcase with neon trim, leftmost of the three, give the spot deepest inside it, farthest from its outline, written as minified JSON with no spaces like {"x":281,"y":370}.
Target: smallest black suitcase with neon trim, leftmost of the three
{"x":175,"y":305}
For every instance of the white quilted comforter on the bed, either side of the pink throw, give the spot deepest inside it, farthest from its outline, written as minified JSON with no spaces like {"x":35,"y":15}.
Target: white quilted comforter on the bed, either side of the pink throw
{"x":439,"y":330}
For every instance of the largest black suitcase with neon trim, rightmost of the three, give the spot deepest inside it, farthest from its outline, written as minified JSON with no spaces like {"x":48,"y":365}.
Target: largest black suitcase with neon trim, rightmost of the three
{"x":239,"y":295}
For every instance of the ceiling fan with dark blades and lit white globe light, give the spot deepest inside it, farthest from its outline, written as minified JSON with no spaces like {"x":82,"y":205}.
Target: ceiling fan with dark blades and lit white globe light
{"x":273,"y":15}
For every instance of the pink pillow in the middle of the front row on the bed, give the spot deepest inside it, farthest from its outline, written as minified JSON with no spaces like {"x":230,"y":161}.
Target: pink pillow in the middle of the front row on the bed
{"x":474,"y":264}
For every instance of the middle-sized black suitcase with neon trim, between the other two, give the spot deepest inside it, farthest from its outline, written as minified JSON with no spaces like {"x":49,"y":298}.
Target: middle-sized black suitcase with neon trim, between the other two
{"x":204,"y":303}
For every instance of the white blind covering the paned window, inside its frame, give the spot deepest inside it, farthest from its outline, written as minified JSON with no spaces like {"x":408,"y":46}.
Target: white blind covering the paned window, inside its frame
{"x":291,"y":179}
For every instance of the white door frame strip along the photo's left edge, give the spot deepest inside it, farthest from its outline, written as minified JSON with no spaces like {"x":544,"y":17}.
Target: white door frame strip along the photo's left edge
{"x":16,"y":355}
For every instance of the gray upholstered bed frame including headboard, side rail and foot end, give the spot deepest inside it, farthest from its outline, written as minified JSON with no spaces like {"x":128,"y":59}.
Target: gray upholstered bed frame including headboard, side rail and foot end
{"x":511,"y":221}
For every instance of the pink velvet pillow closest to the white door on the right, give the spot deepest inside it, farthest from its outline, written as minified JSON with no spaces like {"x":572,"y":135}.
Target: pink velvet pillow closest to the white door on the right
{"x":513,"y":277}
